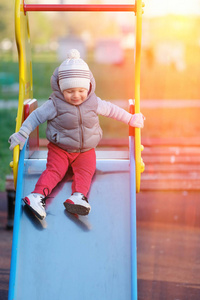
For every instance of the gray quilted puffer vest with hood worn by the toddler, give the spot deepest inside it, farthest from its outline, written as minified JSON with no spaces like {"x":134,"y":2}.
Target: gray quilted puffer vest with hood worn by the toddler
{"x":75,"y":128}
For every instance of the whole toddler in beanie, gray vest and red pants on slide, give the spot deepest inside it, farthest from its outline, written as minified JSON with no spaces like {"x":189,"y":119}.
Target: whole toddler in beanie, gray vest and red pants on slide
{"x":73,"y":132}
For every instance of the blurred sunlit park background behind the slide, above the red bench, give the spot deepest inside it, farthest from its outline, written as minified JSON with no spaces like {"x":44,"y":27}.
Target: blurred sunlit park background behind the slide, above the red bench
{"x":170,"y":88}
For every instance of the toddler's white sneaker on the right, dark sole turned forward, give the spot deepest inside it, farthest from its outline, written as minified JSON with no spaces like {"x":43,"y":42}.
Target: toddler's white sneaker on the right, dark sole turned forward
{"x":77,"y":204}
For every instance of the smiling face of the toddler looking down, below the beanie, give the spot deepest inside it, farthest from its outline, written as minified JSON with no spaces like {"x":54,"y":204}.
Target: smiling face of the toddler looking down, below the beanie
{"x":75,"y":96}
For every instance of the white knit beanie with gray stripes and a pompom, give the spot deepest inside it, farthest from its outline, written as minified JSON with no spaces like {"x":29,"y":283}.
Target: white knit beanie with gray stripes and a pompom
{"x":74,"y":72}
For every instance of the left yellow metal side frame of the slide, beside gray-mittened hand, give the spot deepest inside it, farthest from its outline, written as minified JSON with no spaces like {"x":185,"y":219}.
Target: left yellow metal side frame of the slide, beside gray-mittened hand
{"x":22,"y":36}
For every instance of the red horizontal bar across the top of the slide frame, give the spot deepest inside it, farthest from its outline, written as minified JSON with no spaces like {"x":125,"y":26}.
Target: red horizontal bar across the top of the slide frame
{"x":77,"y":7}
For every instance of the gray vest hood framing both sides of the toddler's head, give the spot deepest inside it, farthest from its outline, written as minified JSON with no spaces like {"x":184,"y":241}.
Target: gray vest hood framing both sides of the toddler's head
{"x":56,"y":88}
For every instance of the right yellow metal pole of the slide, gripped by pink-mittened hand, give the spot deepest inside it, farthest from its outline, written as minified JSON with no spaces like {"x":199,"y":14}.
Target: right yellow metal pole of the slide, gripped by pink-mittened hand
{"x":138,"y":147}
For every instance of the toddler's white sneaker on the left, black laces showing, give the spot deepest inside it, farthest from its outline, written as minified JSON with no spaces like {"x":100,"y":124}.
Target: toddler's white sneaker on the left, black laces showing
{"x":37,"y":204}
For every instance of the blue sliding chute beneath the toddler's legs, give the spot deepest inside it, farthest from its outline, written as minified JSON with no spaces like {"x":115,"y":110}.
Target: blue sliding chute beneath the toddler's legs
{"x":65,"y":257}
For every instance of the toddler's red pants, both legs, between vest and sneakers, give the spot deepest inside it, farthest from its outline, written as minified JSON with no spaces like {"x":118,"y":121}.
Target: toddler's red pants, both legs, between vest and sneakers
{"x":58,"y":161}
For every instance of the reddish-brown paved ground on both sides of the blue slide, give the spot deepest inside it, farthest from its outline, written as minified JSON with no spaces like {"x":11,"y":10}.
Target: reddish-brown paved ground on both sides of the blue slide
{"x":168,"y":237}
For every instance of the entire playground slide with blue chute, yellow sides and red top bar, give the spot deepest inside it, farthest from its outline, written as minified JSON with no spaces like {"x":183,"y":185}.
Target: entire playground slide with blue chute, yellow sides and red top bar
{"x":75,"y":258}
